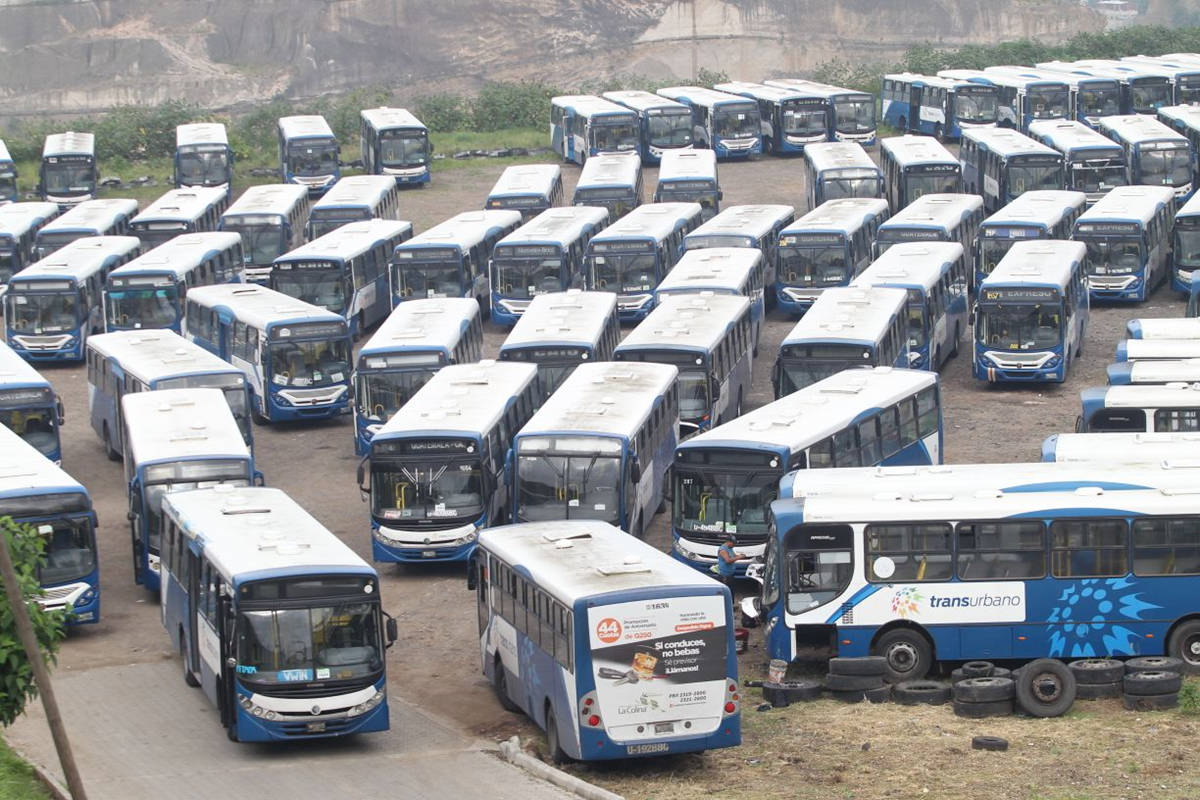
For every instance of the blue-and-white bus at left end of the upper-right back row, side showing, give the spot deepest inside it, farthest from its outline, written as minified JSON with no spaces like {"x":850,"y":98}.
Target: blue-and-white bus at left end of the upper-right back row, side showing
{"x":939,"y":107}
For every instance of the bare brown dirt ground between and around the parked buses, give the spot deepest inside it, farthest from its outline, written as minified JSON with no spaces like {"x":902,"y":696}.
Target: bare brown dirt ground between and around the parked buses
{"x":436,"y":663}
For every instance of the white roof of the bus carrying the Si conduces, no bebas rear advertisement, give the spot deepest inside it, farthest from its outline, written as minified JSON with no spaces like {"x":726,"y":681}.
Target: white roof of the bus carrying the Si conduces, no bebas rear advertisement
{"x":577,"y":560}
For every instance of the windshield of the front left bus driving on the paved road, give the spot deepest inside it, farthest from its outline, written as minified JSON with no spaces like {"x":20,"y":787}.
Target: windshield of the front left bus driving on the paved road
{"x":284,"y":647}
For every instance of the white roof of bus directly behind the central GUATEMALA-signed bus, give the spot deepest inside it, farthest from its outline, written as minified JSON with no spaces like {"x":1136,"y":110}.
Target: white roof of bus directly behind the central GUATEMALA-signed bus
{"x":567,"y":318}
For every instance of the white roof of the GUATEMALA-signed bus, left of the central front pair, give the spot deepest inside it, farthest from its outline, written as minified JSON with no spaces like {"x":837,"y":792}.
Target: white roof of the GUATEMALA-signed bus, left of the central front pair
{"x":460,"y":399}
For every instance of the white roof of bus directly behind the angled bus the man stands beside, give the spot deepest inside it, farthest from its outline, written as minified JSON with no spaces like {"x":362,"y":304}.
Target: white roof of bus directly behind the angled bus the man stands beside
{"x":849,"y":315}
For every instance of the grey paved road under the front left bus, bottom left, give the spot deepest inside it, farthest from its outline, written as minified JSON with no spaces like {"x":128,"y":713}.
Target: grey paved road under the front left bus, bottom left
{"x":139,"y":732}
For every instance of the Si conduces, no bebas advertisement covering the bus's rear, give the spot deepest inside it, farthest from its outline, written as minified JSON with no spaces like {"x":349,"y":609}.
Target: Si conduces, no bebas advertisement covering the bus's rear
{"x":659,"y":664}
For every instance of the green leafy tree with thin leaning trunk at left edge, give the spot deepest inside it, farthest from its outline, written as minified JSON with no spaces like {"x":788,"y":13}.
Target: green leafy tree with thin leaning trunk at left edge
{"x":17,"y":687}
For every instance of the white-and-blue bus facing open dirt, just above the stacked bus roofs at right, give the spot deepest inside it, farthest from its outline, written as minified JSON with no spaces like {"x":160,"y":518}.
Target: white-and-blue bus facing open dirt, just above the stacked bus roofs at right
{"x":1031,"y":314}
